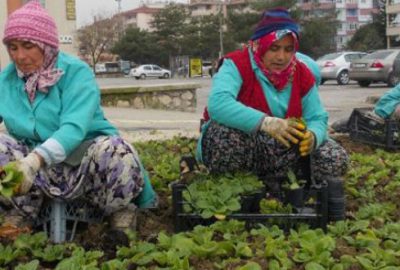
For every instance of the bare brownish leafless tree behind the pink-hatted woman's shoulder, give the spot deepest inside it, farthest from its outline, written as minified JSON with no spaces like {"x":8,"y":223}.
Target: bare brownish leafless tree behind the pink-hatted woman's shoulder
{"x":97,"y":38}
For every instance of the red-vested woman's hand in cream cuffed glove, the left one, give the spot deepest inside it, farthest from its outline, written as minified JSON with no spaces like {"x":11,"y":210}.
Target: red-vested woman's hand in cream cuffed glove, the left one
{"x":284,"y":130}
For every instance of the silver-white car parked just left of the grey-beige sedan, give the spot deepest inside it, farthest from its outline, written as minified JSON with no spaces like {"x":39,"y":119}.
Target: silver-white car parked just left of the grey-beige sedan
{"x":335,"y":66}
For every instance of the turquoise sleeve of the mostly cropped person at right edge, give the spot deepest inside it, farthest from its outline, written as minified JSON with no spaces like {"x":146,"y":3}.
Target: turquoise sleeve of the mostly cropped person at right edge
{"x":388,"y":102}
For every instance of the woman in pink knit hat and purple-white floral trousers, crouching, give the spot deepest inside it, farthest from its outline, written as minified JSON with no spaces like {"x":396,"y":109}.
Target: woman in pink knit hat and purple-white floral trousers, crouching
{"x":58,"y":137}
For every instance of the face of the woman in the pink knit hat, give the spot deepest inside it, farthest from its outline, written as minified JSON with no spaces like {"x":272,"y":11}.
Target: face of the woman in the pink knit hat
{"x":27,"y":56}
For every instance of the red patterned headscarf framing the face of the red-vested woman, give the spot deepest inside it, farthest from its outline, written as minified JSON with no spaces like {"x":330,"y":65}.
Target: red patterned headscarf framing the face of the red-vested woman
{"x":278,"y":78}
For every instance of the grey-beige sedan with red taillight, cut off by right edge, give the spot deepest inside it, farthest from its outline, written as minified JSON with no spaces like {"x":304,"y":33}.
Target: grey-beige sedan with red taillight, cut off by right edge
{"x":375,"y":67}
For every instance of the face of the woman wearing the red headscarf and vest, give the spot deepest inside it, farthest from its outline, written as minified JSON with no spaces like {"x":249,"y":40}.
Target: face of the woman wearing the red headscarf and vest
{"x":278,"y":56}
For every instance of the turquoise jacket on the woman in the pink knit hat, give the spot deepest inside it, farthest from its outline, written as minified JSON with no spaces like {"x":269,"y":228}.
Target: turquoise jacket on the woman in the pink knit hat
{"x":68,"y":114}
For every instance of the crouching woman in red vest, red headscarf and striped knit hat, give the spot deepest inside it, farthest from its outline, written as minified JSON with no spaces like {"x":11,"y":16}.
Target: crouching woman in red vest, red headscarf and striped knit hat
{"x":255,"y":96}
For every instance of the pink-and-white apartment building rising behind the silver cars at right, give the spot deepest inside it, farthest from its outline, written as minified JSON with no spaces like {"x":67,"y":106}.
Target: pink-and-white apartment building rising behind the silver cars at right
{"x":351,"y":14}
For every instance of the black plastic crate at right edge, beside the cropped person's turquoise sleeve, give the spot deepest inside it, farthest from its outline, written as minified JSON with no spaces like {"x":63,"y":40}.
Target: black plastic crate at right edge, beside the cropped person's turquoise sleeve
{"x":371,"y":130}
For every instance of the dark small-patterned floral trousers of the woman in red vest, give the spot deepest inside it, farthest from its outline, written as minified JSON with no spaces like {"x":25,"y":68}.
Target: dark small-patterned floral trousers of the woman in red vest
{"x":226,"y":149}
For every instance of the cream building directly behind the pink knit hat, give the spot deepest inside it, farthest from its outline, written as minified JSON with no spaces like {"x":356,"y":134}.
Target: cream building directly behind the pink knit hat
{"x":63,"y":11}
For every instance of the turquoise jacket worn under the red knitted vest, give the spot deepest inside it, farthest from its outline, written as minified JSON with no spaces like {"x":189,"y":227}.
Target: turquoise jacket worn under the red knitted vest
{"x":224,"y":108}
